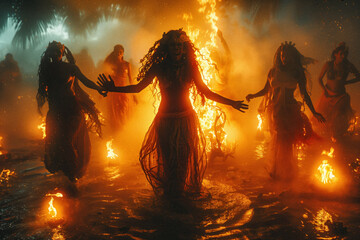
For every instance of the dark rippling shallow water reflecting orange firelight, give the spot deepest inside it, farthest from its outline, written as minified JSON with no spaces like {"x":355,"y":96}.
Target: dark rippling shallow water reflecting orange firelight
{"x":114,"y":201}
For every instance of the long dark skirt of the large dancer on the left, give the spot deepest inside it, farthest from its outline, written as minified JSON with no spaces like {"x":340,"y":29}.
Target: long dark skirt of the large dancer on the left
{"x":67,"y":143}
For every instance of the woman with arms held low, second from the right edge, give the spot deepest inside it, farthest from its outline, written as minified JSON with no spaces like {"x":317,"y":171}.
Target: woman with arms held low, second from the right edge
{"x":288,"y":124}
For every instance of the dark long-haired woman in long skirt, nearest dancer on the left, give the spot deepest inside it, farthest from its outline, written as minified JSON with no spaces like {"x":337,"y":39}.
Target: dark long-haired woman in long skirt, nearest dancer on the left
{"x":67,"y":143}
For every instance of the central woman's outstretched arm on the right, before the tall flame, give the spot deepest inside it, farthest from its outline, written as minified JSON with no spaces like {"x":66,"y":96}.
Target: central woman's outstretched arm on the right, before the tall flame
{"x":201,"y":86}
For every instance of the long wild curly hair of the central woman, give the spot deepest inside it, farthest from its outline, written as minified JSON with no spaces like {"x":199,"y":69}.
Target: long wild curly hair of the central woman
{"x":159,"y":53}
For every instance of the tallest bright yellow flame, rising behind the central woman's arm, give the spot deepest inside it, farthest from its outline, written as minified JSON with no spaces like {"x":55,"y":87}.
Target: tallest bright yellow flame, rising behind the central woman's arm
{"x":212,"y":118}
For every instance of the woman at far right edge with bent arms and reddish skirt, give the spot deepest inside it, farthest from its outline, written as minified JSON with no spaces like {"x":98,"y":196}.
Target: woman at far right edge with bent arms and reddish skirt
{"x":334,"y":103}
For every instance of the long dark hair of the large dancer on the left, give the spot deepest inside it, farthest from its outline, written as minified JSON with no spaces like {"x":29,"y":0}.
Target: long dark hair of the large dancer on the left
{"x":50,"y":55}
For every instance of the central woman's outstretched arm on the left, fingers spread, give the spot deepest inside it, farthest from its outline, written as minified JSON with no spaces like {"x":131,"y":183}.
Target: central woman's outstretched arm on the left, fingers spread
{"x":108,"y":83}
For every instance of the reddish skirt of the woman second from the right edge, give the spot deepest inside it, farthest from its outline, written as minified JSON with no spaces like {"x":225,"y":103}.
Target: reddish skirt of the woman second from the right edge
{"x":289,"y":127}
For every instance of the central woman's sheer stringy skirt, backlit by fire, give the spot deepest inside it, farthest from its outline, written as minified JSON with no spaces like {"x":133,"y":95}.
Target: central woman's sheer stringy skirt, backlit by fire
{"x":173,"y":154}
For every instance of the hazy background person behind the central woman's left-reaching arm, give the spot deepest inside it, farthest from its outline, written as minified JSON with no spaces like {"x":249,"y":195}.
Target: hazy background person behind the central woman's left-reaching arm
{"x":119,"y":70}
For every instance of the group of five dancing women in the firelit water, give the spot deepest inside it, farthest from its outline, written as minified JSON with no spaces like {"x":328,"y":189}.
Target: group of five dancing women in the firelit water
{"x":173,"y":154}
